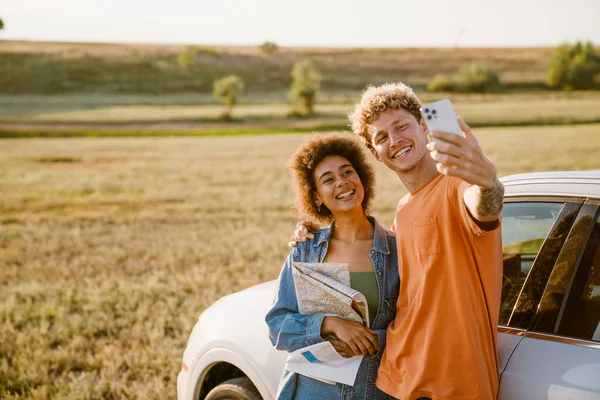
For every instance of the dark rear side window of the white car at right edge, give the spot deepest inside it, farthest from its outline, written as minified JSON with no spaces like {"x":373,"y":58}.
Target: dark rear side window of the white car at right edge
{"x":581,"y":316}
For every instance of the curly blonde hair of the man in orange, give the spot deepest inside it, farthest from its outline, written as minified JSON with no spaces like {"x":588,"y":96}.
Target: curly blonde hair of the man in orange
{"x":375,"y":100}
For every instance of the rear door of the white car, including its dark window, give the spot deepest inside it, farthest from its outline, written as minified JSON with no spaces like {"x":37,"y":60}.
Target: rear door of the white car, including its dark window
{"x":557,"y":316}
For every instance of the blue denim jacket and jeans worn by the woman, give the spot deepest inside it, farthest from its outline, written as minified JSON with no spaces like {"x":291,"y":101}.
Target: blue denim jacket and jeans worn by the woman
{"x":289,"y":330}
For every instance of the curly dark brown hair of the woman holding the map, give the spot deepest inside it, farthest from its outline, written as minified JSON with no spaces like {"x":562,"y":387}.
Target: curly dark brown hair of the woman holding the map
{"x":304,"y":161}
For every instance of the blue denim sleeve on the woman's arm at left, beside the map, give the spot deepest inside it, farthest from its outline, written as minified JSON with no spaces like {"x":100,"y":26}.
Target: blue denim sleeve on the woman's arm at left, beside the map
{"x":288,"y":329}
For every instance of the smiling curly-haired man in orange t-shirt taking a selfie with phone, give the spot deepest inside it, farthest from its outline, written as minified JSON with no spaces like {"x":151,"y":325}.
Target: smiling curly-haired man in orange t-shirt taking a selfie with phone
{"x":443,"y":342}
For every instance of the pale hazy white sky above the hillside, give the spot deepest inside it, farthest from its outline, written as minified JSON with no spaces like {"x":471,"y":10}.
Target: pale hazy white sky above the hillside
{"x":347,"y":23}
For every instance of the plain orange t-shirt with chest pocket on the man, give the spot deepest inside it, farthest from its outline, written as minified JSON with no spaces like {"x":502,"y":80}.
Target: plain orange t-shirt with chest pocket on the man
{"x":443,"y":342}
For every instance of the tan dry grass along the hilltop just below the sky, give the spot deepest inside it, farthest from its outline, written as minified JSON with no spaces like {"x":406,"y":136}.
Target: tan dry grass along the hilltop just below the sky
{"x":412,"y":59}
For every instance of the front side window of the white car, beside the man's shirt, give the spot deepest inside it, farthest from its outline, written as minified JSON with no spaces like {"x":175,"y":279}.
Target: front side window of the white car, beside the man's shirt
{"x":525,"y":227}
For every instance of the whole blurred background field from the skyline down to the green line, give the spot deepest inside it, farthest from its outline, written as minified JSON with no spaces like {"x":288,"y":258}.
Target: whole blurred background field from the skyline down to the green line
{"x":62,"y":87}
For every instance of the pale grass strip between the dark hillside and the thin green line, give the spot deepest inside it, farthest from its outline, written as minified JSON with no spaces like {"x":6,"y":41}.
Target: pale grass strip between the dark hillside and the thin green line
{"x":479,"y":110}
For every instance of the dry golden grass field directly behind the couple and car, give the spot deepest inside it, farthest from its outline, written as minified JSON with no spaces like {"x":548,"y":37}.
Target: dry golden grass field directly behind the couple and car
{"x":110,"y":248}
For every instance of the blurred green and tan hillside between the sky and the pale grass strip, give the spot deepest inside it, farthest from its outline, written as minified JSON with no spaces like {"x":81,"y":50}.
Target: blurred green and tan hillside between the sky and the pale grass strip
{"x":53,"y":68}
